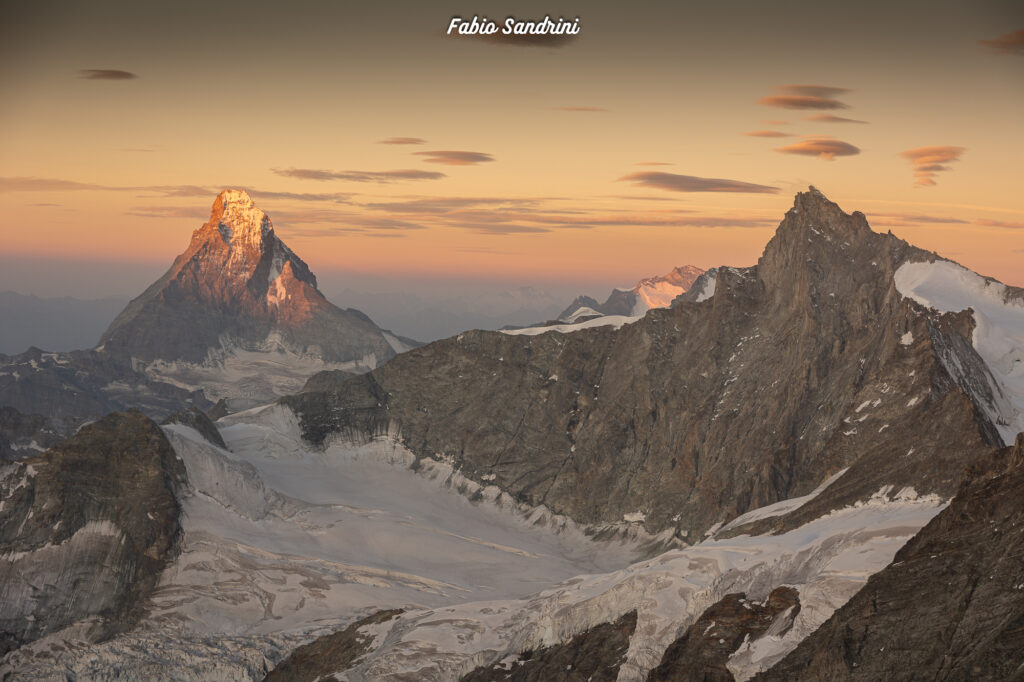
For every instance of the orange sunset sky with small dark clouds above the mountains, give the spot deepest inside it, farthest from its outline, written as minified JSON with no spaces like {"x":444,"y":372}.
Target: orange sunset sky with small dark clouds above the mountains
{"x":662,"y":135}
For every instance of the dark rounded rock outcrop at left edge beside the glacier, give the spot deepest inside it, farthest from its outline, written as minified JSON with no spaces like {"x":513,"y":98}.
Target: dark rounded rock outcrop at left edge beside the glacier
{"x":86,"y":531}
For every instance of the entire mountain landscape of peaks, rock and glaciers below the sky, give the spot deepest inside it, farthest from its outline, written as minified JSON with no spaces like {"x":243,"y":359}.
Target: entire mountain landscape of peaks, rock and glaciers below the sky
{"x":807,"y":470}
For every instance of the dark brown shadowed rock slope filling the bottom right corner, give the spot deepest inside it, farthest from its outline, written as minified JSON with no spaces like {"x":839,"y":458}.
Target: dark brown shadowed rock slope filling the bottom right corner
{"x":952,"y":605}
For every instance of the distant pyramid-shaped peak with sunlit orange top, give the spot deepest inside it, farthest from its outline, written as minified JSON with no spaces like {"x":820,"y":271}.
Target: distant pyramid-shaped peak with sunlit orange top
{"x":238,"y":285}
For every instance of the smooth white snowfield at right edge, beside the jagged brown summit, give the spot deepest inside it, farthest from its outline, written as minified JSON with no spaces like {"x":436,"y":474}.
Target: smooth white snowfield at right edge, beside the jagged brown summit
{"x":999,"y":333}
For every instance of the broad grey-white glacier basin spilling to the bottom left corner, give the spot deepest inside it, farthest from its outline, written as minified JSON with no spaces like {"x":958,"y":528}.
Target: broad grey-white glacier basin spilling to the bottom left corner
{"x":281,"y":541}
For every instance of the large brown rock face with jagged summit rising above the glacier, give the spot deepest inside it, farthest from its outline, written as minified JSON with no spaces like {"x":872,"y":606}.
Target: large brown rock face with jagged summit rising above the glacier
{"x":809,"y":364}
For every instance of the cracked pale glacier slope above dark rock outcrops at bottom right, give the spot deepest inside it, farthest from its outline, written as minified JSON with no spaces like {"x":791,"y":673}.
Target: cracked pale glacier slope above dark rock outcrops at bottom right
{"x":827,"y":561}
